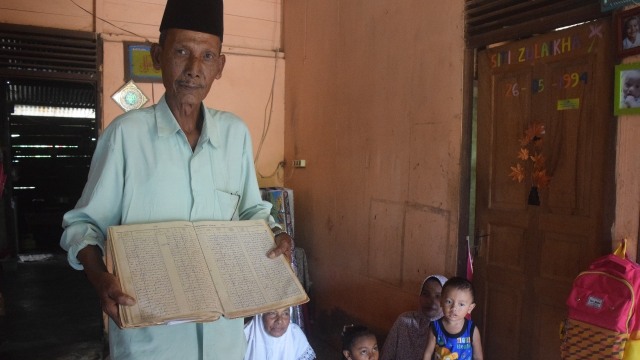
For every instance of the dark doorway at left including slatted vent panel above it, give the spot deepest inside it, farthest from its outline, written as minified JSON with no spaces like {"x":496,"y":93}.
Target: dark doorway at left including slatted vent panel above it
{"x":47,"y":77}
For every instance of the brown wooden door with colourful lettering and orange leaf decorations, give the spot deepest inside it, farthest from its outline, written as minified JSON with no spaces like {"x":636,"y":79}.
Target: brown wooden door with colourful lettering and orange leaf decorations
{"x":554,"y":90}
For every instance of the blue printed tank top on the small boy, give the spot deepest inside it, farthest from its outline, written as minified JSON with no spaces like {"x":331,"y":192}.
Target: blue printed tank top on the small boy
{"x":449,"y":344}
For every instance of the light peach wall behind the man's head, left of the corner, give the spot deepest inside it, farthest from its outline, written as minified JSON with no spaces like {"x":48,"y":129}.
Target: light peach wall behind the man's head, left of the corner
{"x":252,"y":84}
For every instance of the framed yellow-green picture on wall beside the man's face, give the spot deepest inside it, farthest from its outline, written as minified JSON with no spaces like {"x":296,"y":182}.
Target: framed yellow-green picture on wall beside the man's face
{"x":138,"y":65}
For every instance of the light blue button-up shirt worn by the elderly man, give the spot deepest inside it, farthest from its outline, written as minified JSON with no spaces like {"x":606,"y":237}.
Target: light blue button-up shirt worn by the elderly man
{"x":144,"y":170}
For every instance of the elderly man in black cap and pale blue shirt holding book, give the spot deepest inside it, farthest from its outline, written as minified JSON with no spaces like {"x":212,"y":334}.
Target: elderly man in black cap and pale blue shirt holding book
{"x":176,"y":160}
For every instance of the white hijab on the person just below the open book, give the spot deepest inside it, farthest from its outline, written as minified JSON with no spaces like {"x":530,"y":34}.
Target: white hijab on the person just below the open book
{"x":292,"y":345}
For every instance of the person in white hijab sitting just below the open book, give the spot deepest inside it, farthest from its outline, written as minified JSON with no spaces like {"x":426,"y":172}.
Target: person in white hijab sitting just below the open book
{"x":271,"y":336}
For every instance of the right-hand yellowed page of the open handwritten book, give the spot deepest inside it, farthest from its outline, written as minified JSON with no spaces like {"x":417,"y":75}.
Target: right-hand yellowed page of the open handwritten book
{"x":248,"y":282}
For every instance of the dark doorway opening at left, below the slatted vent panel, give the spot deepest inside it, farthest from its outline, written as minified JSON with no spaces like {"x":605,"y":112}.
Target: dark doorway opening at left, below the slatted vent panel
{"x":49,"y":134}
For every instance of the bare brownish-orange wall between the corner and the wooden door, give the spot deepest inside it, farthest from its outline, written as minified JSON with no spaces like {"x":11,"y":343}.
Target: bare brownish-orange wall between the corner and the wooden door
{"x":374,"y":105}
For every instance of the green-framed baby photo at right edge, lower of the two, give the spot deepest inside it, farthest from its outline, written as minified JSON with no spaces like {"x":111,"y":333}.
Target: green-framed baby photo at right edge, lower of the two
{"x":626,"y":92}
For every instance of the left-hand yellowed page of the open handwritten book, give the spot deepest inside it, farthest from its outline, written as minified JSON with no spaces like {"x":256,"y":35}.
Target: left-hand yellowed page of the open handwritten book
{"x":162,"y":266}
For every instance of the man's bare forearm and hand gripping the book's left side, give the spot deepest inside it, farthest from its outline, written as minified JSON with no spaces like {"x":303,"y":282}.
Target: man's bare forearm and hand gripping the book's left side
{"x":106,"y":285}
